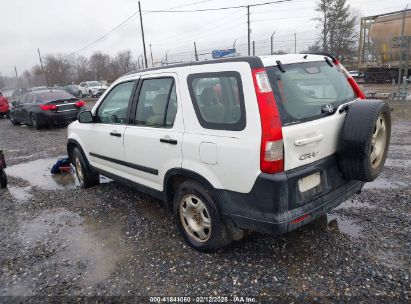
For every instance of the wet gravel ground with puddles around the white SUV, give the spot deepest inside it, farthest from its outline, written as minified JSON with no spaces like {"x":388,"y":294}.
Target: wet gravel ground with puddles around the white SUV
{"x":57,"y":239}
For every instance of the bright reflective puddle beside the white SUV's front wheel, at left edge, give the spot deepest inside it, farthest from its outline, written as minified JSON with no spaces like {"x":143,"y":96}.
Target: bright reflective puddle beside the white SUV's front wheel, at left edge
{"x":37,"y":173}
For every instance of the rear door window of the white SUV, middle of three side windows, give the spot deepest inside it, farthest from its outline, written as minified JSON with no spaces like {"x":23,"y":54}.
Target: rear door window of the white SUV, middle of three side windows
{"x":157,"y":103}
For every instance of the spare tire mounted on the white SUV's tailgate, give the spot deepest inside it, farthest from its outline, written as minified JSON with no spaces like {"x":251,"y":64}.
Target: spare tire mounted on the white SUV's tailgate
{"x":364,"y":140}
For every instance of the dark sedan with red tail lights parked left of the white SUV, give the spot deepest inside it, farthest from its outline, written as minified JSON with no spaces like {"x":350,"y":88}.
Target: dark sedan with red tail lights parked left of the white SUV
{"x":46,"y":108}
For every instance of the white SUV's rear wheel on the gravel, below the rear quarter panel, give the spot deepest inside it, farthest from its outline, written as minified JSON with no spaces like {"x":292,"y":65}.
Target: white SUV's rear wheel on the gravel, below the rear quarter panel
{"x":198,"y":218}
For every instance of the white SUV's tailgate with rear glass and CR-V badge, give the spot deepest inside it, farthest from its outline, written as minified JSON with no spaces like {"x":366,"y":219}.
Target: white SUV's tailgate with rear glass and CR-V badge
{"x":309,"y":96}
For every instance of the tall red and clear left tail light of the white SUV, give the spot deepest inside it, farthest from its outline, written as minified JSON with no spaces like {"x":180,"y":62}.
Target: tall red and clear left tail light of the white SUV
{"x":272,"y":148}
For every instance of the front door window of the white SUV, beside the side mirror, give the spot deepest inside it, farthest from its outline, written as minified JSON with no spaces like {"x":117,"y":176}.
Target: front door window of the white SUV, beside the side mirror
{"x":113,"y":109}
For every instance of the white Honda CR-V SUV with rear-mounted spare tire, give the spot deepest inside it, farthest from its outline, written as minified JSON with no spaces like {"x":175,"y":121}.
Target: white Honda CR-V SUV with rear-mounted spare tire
{"x":242,"y":144}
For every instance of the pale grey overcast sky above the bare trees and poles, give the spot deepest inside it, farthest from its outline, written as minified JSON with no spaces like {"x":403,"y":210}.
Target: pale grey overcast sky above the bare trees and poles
{"x":66,"y":26}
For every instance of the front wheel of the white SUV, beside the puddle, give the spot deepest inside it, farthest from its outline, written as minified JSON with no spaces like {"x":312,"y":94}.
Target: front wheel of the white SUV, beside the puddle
{"x":86,"y":176}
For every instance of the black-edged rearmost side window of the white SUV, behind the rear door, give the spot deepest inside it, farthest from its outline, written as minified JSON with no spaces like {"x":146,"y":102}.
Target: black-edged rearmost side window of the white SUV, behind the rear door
{"x":218,"y":100}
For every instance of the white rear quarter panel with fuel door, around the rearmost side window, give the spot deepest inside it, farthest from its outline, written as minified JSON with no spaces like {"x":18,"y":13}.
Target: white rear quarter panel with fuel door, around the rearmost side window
{"x":237,"y":152}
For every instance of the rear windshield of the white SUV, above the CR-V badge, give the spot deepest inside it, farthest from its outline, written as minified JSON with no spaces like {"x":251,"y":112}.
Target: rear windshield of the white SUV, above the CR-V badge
{"x":304,"y":88}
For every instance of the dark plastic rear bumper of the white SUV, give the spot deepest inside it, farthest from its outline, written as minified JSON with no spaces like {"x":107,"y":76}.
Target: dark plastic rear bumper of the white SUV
{"x":275,"y":204}
